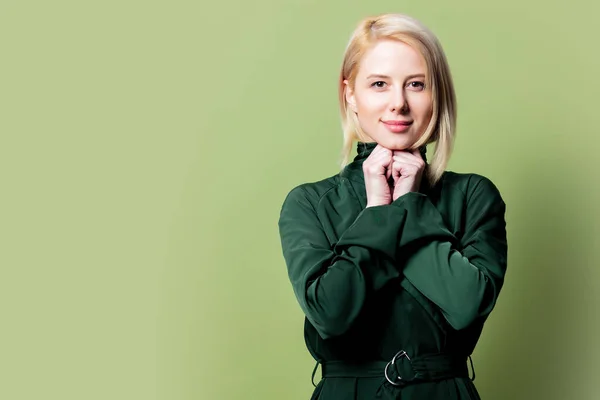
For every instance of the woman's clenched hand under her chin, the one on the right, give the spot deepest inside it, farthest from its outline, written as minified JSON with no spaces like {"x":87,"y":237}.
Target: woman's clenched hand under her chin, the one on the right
{"x":407,"y":171}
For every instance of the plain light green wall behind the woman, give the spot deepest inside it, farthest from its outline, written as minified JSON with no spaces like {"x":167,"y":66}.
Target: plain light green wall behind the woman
{"x":146,"y":148}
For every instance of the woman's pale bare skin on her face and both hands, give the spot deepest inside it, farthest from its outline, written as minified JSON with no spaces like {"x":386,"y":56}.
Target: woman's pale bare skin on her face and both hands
{"x":390,"y":86}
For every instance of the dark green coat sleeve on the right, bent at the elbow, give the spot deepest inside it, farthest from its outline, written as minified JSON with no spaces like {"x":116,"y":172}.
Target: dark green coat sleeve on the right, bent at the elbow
{"x":462,"y":277}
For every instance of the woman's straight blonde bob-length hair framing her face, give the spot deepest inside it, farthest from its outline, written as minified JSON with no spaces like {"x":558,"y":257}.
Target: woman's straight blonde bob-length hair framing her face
{"x":441,"y":128}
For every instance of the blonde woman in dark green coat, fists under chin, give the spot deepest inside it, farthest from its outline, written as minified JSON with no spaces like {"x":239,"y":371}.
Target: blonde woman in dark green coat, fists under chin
{"x":395,"y":262}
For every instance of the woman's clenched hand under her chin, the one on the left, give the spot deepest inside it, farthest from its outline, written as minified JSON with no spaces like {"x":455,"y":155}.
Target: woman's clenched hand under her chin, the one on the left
{"x":377,"y":170}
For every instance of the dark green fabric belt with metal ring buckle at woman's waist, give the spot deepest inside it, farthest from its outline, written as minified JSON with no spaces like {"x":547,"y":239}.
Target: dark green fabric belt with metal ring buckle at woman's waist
{"x":402,"y":369}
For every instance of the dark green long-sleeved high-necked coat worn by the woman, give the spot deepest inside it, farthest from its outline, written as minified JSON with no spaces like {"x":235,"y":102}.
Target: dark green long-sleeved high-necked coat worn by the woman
{"x":420,"y":275}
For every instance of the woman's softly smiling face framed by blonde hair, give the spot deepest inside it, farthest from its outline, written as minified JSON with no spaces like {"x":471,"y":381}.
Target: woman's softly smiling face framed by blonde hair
{"x":390,"y":98}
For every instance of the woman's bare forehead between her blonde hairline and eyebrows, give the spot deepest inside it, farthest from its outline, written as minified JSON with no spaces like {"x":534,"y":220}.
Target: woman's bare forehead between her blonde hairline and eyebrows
{"x":393,"y":58}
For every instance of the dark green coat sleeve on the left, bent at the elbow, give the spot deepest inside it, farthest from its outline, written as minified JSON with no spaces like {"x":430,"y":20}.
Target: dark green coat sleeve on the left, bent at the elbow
{"x":332,"y":283}
